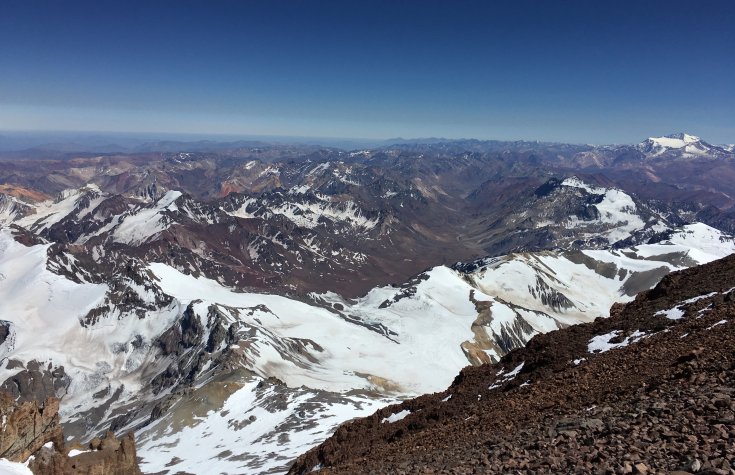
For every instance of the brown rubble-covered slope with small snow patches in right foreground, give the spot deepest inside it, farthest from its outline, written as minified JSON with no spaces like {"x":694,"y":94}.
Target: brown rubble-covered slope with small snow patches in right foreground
{"x":658,"y":398}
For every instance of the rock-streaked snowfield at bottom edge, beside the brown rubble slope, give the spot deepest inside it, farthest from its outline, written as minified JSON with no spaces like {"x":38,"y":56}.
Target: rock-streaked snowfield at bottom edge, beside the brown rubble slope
{"x":259,"y":436}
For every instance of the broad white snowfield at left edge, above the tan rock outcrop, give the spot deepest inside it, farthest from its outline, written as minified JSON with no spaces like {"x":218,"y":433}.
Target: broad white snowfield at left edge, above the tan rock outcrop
{"x":53,"y":329}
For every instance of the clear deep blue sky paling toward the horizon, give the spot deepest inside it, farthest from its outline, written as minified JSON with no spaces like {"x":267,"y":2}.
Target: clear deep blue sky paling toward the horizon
{"x":570,"y":71}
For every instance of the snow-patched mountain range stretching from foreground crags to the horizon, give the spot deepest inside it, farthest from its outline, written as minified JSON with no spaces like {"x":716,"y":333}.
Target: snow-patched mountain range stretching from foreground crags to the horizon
{"x":234,"y":306}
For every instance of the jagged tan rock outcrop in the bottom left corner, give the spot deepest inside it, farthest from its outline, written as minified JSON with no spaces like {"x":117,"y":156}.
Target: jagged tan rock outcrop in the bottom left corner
{"x":30,"y":430}
